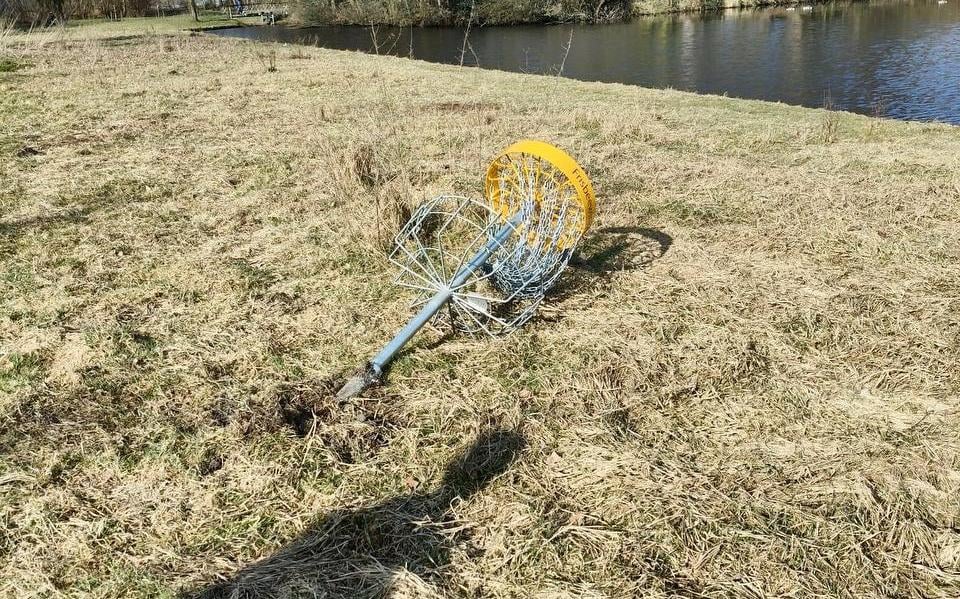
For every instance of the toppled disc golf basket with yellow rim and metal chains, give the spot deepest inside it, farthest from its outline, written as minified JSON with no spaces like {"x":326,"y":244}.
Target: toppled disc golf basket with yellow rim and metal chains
{"x":484,"y":266}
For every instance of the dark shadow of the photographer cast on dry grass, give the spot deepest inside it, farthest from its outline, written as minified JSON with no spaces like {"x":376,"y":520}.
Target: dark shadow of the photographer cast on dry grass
{"x":356,"y":553}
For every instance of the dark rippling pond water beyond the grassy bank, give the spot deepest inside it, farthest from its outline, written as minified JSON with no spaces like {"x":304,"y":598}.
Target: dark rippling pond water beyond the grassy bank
{"x":903,"y":57}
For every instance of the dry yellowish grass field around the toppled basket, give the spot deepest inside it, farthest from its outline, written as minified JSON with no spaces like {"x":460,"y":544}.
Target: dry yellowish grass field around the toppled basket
{"x":745,"y":386}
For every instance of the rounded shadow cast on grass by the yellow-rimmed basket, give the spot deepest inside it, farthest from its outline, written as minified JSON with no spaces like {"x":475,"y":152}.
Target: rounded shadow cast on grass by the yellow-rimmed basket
{"x":610,"y":250}
